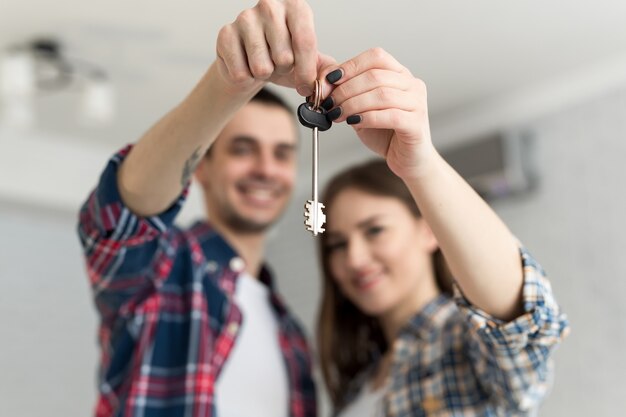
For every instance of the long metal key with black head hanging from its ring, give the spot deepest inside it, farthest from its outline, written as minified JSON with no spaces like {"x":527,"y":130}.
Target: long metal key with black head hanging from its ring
{"x":313,"y":116}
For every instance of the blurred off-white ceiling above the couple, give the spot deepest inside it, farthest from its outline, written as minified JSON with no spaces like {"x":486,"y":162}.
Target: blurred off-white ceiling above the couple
{"x":467,"y":52}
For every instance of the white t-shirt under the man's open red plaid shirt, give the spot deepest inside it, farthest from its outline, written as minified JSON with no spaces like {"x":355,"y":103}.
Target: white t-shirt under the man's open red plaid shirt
{"x":253,"y":381}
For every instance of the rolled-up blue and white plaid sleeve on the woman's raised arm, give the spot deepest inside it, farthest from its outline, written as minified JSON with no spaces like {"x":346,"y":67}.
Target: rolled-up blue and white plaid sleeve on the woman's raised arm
{"x":512,"y":359}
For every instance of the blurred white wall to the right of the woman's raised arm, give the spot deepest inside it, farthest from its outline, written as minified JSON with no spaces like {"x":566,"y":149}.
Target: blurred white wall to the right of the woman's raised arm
{"x":575,"y":225}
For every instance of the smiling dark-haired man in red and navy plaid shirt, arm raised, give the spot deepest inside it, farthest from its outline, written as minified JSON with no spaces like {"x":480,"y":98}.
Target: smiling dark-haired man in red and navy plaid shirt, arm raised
{"x":191,"y":324}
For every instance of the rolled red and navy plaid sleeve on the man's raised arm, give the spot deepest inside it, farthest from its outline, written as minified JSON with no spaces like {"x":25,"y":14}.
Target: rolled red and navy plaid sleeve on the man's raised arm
{"x":120,"y":248}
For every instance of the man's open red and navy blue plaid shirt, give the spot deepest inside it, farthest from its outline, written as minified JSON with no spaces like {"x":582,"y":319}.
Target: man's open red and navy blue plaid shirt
{"x":168,"y":320}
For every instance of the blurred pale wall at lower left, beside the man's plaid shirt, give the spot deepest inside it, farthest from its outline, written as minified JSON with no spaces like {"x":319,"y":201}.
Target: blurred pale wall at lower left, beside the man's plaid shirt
{"x":48,"y":350}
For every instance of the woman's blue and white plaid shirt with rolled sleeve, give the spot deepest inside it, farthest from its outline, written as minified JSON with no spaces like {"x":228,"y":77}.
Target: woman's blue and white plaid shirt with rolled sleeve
{"x":453,"y":359}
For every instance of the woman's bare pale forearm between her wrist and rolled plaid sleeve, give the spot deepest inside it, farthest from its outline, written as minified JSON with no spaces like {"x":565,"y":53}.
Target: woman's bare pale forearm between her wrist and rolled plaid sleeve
{"x":481,"y":252}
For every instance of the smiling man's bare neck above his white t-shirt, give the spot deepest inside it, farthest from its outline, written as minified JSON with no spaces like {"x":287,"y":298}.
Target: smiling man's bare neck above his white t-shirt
{"x":250,"y":246}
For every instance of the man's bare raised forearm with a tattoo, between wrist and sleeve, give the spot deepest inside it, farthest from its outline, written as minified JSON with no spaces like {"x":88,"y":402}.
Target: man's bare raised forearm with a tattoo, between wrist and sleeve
{"x":163,"y":160}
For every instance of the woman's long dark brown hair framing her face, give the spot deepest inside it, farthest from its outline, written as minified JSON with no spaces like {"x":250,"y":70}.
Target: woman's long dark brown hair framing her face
{"x":348,"y":340}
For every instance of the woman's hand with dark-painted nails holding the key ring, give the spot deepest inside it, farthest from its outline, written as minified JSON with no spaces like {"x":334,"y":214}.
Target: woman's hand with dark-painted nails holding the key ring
{"x":386,"y":105}
